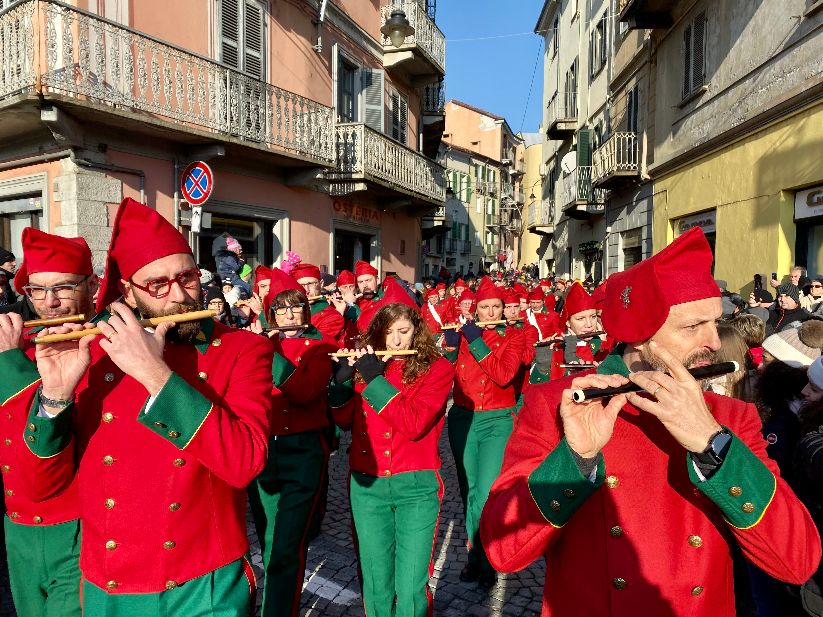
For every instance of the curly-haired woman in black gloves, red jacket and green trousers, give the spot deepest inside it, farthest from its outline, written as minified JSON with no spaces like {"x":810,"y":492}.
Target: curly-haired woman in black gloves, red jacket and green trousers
{"x":395,"y":410}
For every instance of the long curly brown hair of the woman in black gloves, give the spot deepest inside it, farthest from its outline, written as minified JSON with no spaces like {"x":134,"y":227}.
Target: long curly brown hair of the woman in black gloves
{"x":422,"y":341}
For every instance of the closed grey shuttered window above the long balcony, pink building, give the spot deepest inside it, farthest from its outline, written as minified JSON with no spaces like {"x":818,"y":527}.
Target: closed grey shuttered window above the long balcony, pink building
{"x":242,"y":36}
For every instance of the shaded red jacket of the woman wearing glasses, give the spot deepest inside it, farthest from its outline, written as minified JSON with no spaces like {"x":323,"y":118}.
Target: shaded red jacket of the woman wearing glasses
{"x":300,"y":372}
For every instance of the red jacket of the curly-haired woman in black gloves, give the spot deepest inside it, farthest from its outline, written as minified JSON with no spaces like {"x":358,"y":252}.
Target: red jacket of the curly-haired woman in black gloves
{"x":396,"y":427}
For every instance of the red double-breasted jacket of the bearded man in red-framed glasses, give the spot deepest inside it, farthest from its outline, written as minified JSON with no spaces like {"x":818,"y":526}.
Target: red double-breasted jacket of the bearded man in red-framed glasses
{"x":163,"y":490}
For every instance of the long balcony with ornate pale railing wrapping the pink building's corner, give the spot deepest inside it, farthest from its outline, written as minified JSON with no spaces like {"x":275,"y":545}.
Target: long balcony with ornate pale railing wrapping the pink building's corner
{"x":106,"y":74}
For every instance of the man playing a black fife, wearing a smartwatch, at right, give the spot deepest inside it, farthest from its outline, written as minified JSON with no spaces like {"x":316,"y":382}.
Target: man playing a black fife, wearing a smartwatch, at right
{"x":636,"y":501}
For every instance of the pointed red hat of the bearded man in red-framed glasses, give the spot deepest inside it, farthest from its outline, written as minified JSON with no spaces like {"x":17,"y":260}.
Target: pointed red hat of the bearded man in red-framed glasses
{"x":139,"y":236}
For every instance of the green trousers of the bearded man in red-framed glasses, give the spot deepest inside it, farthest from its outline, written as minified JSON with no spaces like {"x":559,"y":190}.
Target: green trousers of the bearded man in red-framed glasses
{"x":225,"y":592}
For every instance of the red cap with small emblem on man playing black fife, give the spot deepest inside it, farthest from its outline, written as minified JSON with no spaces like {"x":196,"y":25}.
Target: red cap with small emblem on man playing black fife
{"x":638,"y":300}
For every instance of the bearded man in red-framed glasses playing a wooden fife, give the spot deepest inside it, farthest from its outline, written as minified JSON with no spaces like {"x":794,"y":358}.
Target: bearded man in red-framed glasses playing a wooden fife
{"x":181,"y":419}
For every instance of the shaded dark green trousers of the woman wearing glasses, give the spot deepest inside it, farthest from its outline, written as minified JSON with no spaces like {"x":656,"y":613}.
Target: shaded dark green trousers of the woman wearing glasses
{"x":283,"y":500}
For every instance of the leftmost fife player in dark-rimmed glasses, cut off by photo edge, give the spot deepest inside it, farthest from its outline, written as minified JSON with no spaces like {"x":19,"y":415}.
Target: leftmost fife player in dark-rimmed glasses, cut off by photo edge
{"x":42,"y":538}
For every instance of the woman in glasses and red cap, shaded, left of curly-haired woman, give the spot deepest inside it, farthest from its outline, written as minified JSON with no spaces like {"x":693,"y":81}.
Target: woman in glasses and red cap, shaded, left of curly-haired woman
{"x":286,"y":496}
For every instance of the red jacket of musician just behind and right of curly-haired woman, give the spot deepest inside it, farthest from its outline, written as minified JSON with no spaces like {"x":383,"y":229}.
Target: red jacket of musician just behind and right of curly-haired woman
{"x":485,"y":370}
